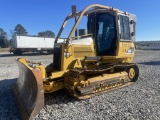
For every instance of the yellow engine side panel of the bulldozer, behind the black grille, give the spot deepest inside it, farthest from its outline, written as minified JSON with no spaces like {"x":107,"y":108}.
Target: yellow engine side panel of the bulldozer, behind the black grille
{"x":77,"y":53}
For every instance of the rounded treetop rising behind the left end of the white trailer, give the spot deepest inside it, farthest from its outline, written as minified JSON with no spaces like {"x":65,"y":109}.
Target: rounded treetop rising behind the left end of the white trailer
{"x":19,"y":29}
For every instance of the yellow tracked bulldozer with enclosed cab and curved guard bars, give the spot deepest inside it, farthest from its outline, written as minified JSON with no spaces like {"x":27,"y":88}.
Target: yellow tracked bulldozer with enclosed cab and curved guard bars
{"x":90,"y":62}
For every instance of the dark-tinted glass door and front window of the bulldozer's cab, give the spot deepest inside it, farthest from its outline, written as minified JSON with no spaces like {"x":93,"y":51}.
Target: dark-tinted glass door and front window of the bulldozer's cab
{"x":103,"y":27}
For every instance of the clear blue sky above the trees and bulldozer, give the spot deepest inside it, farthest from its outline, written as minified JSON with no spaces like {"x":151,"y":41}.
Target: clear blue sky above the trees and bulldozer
{"x":40,"y":15}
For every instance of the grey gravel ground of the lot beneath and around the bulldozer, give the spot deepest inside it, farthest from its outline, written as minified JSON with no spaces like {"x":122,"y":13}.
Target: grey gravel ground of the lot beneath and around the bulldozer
{"x":140,"y":101}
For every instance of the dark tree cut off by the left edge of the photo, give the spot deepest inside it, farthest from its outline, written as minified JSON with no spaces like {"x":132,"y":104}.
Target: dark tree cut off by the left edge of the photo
{"x":3,"y":38}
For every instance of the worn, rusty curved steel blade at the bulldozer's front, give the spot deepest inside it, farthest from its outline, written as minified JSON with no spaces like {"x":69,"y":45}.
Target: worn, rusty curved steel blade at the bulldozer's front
{"x":28,"y":92}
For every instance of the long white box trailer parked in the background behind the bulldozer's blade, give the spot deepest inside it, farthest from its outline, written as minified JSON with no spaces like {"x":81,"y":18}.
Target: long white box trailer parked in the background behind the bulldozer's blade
{"x":23,"y":44}
